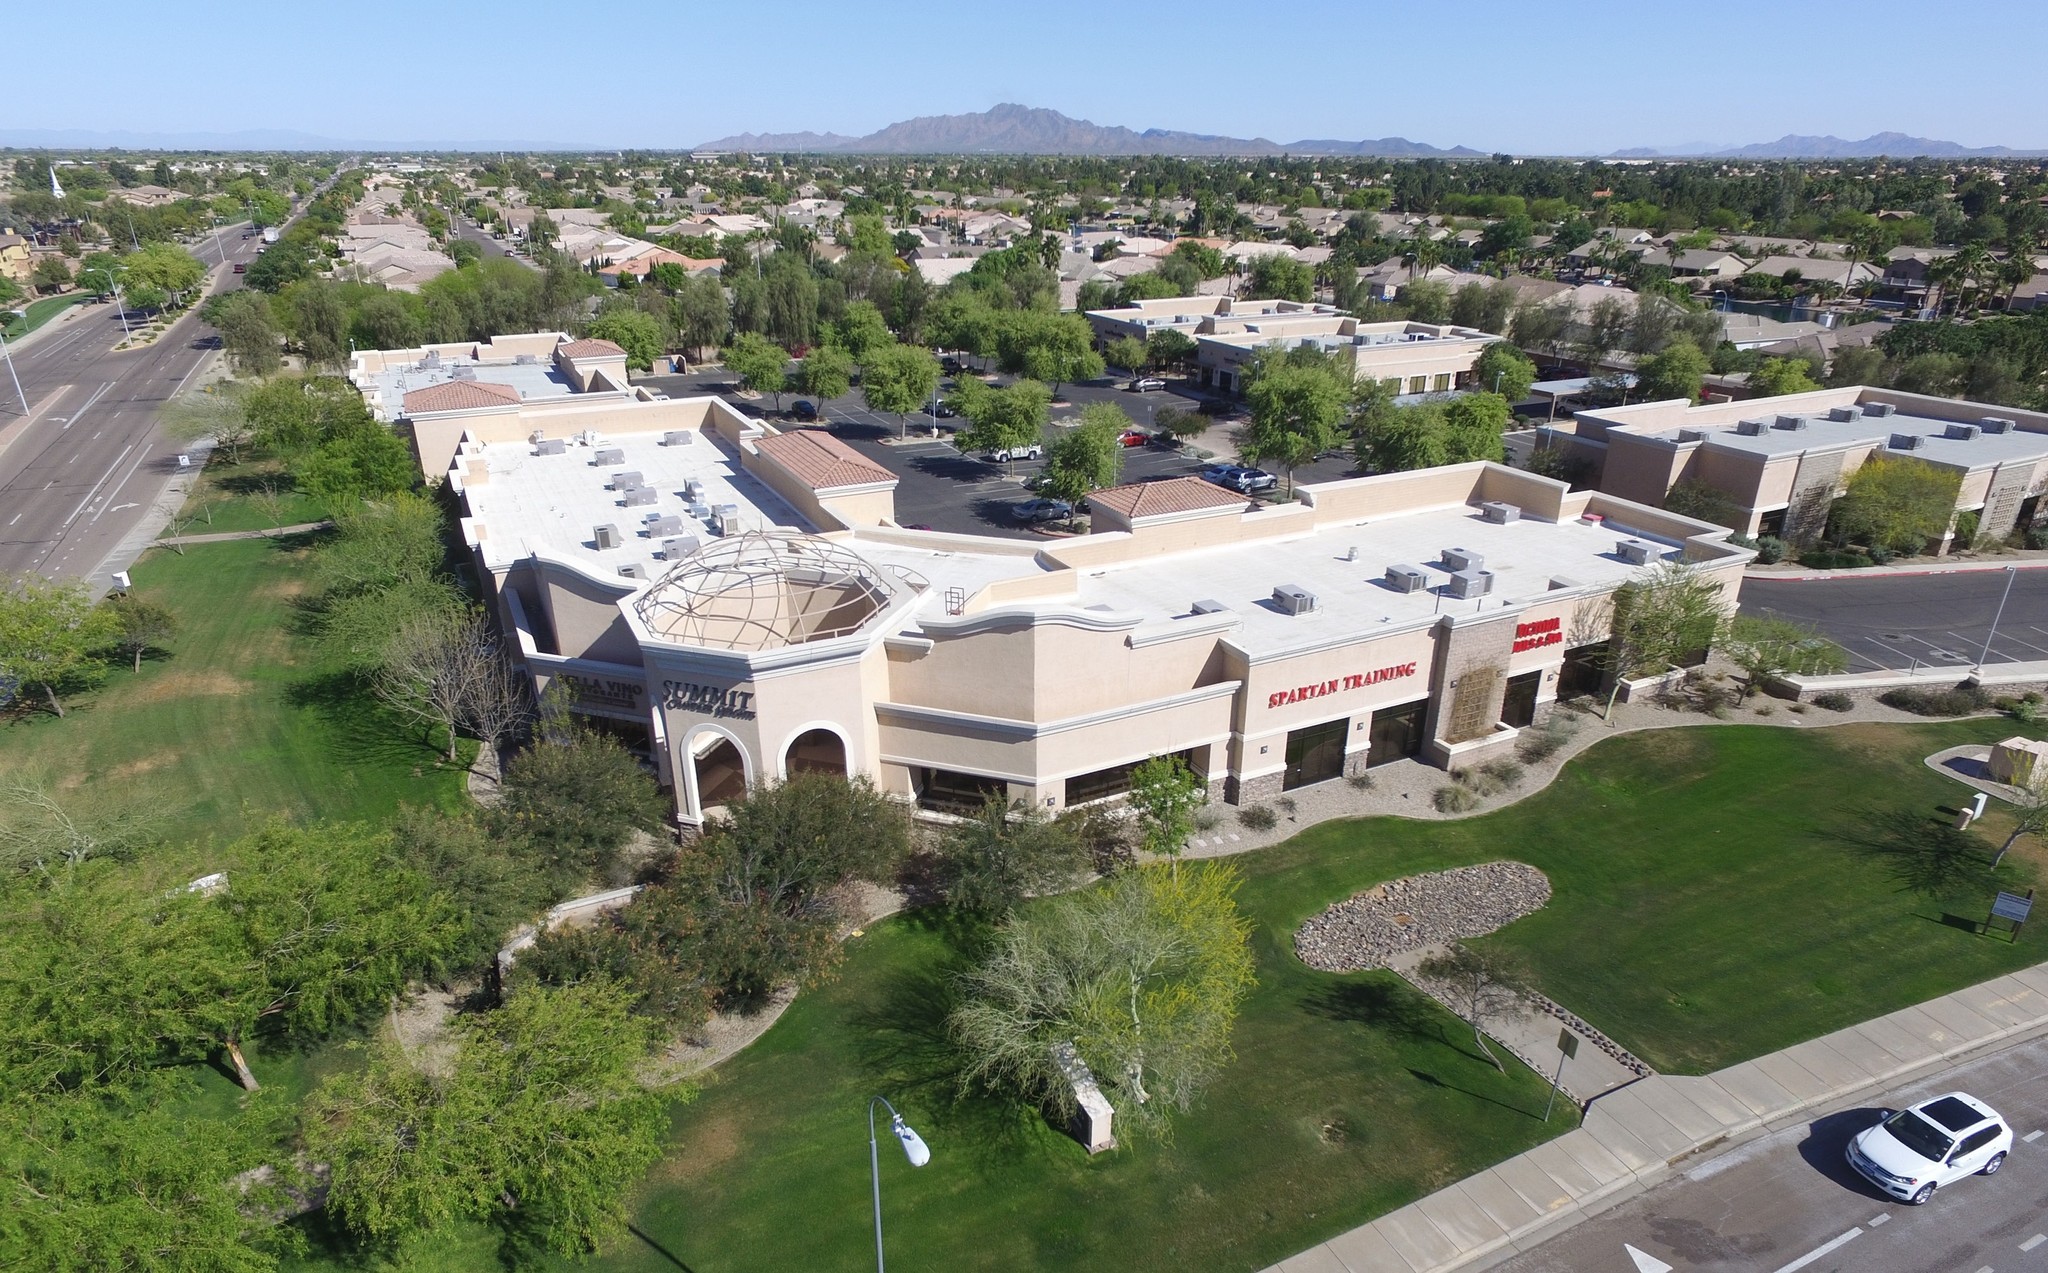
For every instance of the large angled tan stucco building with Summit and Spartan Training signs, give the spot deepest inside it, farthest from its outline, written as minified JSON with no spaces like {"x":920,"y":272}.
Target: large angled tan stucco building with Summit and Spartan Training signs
{"x":740,"y":603}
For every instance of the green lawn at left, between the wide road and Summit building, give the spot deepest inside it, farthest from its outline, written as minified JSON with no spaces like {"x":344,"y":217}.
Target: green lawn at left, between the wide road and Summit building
{"x":241,"y":721}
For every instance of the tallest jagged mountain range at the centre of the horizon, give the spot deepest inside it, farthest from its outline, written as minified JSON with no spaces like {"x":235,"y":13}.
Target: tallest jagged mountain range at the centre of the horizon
{"x":1015,"y":130}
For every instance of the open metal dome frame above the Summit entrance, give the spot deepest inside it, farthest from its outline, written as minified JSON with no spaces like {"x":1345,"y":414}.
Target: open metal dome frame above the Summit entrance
{"x":759,"y":592}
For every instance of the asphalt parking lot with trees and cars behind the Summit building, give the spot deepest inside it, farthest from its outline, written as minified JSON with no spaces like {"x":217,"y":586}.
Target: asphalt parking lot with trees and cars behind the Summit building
{"x":945,"y":490}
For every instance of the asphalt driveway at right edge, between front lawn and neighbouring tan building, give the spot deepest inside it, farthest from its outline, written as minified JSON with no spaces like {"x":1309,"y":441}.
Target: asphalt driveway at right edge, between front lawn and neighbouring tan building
{"x":1906,"y":621}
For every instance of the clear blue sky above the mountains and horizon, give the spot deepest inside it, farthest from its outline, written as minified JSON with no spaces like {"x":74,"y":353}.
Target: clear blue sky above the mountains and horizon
{"x":1558,"y":77}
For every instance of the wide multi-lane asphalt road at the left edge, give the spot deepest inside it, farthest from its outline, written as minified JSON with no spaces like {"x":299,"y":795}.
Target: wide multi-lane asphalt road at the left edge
{"x":89,"y":459}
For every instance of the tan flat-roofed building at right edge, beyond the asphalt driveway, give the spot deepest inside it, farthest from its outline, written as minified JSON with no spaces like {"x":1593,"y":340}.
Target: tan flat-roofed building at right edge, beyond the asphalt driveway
{"x":1785,"y":462}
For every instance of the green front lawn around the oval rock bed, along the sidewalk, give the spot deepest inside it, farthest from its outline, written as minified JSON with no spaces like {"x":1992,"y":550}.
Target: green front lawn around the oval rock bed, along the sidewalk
{"x":1709,"y":906}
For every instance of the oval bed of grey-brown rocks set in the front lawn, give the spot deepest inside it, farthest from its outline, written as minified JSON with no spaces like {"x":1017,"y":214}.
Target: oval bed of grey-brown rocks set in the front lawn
{"x":1369,"y":928}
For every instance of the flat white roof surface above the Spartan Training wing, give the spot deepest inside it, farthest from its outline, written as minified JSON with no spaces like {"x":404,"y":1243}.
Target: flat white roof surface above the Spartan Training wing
{"x":1353,"y":597}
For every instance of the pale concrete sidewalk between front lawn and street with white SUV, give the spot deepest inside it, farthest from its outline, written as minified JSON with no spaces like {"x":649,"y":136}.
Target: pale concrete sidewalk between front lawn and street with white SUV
{"x":1639,"y":1135}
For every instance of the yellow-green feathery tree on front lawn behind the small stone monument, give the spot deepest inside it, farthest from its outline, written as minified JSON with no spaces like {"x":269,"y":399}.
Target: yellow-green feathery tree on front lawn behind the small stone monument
{"x":1142,"y":975}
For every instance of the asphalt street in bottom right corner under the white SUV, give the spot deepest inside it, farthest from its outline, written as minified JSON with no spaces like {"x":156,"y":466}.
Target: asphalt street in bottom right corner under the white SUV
{"x":1770,"y":1206}
